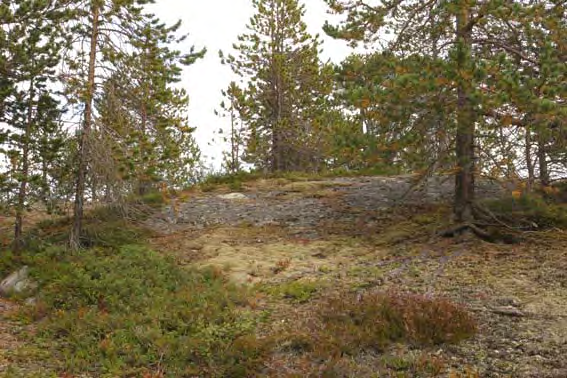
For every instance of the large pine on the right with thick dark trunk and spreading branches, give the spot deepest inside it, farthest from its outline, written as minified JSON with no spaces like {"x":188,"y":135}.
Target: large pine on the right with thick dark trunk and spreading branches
{"x":468,"y":35}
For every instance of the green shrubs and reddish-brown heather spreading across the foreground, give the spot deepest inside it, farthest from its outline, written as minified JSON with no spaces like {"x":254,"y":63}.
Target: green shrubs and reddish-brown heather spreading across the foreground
{"x":119,"y":309}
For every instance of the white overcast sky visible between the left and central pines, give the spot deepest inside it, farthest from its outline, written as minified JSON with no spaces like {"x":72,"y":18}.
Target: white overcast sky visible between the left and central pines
{"x":215,"y":24}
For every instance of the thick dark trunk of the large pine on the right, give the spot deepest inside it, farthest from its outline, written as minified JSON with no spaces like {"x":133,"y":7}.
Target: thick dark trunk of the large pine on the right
{"x":464,"y":183}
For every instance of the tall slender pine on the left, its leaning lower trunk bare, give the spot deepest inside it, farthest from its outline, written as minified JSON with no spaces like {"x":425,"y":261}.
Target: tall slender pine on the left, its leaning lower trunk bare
{"x":102,"y":23}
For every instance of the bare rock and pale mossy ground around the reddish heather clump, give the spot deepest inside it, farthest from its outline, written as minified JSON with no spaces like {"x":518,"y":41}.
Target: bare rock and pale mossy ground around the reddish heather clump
{"x":298,"y":243}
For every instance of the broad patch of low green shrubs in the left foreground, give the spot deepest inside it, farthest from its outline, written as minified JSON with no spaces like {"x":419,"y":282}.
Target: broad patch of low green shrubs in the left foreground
{"x":122,"y":312}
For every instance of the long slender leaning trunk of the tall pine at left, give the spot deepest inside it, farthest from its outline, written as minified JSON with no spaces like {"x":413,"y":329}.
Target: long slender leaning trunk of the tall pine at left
{"x":75,"y":241}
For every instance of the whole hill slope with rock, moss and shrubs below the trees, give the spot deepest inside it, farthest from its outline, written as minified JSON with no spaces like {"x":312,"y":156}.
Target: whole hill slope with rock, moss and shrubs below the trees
{"x":289,"y":277}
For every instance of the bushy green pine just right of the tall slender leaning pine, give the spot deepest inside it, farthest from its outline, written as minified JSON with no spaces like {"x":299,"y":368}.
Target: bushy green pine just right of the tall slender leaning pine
{"x":146,"y":114}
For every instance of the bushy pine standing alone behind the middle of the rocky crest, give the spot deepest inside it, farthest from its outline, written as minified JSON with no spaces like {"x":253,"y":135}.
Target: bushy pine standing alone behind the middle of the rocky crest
{"x":286,"y":87}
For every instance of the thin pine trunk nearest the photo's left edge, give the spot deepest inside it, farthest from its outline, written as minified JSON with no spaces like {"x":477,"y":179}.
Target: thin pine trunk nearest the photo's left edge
{"x":18,"y":227}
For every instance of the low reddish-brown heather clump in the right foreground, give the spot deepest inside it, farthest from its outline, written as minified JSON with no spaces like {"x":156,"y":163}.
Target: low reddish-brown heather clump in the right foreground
{"x":346,"y":324}
